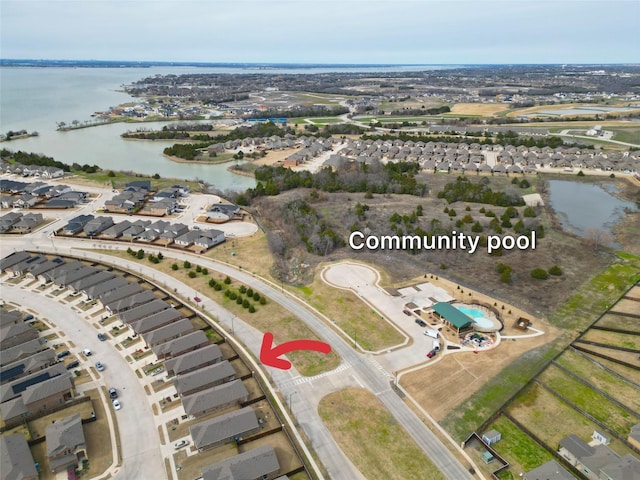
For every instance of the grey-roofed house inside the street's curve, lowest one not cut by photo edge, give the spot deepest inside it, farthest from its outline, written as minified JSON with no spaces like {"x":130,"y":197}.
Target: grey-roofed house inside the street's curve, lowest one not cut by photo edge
{"x":66,"y":445}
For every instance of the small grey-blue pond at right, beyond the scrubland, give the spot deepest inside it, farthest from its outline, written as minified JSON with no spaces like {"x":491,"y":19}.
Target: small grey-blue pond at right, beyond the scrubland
{"x":581,"y":206}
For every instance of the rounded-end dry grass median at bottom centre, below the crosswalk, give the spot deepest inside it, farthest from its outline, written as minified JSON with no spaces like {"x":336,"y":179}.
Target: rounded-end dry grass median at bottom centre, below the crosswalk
{"x":372,"y":439}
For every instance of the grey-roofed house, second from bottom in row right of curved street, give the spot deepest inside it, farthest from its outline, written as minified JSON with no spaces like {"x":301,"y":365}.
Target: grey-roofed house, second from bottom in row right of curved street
{"x":225,"y":428}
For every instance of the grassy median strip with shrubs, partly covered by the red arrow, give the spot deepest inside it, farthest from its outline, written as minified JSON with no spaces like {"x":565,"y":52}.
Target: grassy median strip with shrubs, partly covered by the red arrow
{"x":270,"y":317}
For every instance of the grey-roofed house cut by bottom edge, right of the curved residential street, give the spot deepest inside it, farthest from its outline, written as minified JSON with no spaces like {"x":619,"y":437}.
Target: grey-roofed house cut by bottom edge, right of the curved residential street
{"x":258,"y":463}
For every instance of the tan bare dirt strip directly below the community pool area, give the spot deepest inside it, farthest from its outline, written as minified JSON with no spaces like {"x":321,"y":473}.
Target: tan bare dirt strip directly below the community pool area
{"x":445,"y":384}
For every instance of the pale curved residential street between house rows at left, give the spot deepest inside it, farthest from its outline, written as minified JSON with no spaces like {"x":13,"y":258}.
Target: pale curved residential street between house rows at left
{"x":141,"y":457}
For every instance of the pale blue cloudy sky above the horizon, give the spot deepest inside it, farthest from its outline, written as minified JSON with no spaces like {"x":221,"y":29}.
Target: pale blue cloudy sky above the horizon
{"x":324,"y":31}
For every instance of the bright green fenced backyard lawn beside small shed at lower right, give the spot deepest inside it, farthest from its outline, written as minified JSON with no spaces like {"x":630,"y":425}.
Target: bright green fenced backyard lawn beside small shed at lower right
{"x":522,"y":452}
